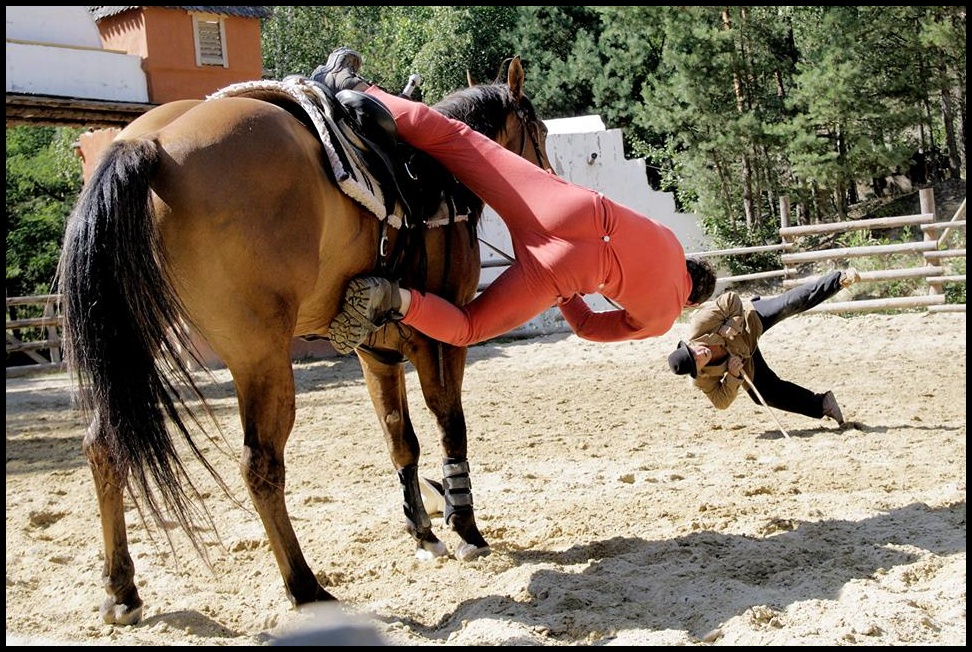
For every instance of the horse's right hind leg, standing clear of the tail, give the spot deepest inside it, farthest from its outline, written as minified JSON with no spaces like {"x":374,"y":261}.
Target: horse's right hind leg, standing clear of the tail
{"x":267,"y":410}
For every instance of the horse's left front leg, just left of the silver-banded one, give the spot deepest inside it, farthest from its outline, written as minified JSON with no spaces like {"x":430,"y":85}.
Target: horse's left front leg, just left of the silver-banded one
{"x":385,"y":378}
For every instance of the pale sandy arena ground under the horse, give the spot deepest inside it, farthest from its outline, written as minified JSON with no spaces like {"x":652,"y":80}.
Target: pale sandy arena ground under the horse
{"x":622,"y":508}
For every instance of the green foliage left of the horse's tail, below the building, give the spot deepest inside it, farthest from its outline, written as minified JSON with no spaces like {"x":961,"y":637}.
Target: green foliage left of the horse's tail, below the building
{"x":43,"y":181}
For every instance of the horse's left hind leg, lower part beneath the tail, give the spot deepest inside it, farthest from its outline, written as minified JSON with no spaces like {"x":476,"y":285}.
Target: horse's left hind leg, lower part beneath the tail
{"x":123,"y":606}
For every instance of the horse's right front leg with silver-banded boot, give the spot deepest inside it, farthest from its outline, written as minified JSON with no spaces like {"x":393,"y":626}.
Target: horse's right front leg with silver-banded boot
{"x":441,"y":370}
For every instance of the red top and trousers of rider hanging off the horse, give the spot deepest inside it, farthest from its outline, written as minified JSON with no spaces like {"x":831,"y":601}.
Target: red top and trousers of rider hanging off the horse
{"x":567,"y":240}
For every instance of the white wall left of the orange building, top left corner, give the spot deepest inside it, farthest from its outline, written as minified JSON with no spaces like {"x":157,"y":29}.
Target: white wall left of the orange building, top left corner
{"x":57,"y":51}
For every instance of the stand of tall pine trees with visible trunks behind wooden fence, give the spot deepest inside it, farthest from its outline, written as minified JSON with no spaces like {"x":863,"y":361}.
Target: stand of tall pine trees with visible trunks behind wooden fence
{"x":741,"y":106}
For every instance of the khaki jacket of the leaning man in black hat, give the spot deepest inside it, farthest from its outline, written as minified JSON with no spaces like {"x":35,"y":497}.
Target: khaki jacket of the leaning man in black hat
{"x":728,"y":308}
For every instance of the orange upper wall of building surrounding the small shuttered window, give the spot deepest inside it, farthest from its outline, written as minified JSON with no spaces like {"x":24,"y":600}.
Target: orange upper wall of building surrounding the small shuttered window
{"x":163,"y":37}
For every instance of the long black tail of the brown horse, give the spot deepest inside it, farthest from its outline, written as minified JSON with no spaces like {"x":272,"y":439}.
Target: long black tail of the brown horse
{"x":125,"y":334}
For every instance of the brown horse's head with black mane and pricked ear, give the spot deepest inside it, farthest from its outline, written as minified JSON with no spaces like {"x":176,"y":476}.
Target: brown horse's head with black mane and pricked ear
{"x":503,"y":112}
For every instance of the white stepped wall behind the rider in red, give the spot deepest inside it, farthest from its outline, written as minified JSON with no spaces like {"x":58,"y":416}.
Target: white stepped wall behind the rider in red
{"x":582,"y":151}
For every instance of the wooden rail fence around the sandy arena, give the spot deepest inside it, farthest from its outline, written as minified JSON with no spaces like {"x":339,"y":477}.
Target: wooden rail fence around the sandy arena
{"x":929,"y":255}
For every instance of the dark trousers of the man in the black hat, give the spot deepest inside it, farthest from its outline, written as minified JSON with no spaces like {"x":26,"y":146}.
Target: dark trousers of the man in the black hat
{"x":778,"y":393}
